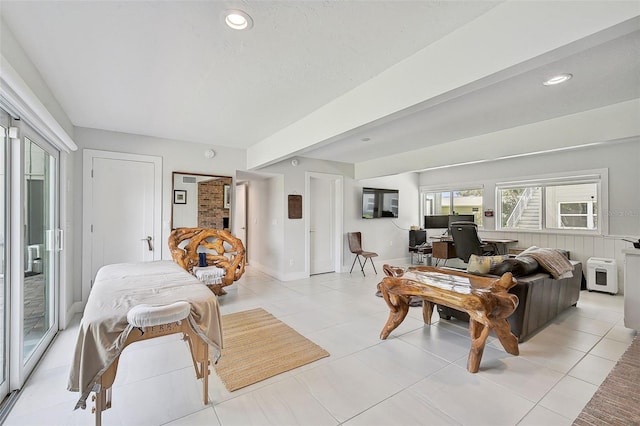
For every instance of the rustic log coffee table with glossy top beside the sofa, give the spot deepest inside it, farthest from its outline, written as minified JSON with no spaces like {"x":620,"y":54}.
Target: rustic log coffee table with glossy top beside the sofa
{"x":485,"y":299}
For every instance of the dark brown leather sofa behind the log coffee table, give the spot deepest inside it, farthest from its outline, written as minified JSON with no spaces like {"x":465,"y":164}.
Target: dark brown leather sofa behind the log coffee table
{"x":541,"y":299}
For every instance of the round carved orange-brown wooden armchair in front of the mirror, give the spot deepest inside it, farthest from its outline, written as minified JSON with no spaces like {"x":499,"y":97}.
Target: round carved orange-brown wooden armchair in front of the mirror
{"x":221,"y":250}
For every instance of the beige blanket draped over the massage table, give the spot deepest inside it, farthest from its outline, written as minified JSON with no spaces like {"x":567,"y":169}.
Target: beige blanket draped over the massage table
{"x":118,"y":288}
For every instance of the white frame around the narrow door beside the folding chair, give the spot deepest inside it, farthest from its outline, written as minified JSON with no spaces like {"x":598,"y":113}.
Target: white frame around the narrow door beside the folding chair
{"x":338,"y":186}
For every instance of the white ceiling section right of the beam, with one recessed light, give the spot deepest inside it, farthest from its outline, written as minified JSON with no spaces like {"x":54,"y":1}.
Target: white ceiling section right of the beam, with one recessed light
{"x":605,"y":74}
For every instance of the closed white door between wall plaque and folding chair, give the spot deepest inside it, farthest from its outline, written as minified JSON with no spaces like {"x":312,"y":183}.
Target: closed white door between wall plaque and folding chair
{"x":322,"y":226}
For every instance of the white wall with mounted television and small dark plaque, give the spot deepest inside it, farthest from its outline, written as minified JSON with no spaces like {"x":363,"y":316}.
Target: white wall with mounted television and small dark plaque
{"x":387,"y":236}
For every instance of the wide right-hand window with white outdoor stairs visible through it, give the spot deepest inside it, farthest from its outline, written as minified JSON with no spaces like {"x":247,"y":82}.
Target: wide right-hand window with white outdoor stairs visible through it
{"x":550,"y":204}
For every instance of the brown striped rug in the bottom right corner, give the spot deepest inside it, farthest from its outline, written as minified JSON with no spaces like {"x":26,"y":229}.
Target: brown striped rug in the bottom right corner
{"x":617,"y":400}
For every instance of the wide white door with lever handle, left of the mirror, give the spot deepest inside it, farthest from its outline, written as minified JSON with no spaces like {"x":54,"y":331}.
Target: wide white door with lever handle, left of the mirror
{"x":123,"y":210}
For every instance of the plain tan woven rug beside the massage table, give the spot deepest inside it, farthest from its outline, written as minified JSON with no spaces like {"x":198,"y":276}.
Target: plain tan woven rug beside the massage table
{"x":258,"y":346}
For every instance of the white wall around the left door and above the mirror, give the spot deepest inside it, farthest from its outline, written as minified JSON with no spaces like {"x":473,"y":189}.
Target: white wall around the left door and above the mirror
{"x":177,"y":156}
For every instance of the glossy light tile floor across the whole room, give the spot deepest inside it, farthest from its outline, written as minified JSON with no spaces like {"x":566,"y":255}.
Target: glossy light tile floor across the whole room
{"x":417,"y":376}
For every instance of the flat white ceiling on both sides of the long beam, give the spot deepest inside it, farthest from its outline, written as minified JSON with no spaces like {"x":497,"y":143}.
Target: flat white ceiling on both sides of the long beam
{"x":171,"y":69}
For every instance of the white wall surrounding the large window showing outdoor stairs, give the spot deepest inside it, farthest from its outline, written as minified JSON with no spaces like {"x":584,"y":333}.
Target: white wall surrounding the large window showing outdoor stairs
{"x":621,"y":159}
